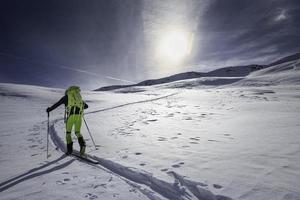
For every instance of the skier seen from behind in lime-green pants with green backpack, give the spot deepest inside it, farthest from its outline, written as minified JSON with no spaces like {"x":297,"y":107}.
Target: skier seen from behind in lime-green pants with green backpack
{"x":74,"y":106}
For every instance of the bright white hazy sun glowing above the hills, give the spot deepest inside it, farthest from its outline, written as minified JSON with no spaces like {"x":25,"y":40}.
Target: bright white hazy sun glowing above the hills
{"x":174,"y":46}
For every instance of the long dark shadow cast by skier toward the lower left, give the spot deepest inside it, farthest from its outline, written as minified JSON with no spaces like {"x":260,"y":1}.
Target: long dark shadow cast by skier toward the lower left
{"x":33,"y":173}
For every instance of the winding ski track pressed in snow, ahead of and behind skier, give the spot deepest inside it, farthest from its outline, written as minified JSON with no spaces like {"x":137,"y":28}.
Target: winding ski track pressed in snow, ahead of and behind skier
{"x":181,"y":189}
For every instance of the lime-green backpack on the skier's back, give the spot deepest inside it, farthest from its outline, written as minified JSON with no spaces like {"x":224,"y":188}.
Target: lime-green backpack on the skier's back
{"x":74,"y":100}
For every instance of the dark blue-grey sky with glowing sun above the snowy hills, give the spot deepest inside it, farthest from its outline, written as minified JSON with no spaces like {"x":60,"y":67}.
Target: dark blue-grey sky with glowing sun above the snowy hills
{"x":103,"y":42}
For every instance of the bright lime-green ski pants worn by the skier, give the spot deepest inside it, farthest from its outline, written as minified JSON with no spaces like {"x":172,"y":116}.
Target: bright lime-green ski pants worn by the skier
{"x":73,"y":120}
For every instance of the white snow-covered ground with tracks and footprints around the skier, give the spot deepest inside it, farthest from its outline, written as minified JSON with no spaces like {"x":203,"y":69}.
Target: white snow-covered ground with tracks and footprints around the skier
{"x":208,"y":138}
